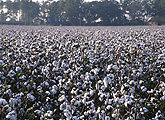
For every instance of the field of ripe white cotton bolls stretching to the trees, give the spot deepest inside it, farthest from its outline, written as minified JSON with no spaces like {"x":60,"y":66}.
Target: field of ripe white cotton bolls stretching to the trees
{"x":82,"y":73}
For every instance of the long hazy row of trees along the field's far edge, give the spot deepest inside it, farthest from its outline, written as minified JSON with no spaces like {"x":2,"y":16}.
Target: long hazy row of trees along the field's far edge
{"x":78,"y":12}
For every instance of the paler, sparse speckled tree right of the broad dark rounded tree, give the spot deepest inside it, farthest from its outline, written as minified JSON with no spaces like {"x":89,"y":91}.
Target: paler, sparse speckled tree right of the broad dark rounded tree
{"x":138,"y":11}
